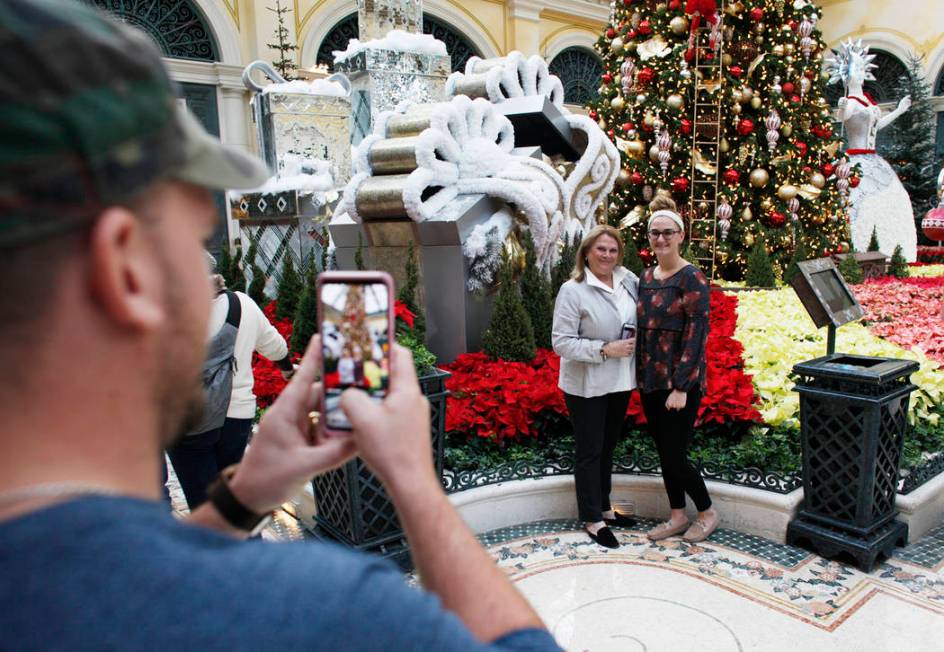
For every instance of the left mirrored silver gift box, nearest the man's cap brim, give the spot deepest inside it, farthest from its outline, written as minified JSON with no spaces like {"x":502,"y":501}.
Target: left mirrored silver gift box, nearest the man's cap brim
{"x":312,"y":126}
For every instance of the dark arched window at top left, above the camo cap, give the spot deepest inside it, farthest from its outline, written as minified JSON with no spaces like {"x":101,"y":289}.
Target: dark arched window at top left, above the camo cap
{"x":178,"y":26}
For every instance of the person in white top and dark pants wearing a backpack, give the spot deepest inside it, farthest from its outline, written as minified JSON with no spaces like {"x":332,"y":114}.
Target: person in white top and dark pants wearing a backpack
{"x":238,"y":328}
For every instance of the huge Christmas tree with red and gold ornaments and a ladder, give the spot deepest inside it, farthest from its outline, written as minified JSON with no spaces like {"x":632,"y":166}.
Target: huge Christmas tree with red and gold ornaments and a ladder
{"x":721,"y":105}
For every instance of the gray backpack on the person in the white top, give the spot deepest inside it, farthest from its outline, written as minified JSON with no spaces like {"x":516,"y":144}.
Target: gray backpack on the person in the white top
{"x":218,"y":369}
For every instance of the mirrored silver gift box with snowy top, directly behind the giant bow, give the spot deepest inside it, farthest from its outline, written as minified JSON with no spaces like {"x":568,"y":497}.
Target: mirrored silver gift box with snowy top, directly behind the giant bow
{"x":382,"y":78}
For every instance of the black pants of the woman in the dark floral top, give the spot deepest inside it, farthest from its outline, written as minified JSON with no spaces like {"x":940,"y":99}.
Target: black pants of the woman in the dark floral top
{"x":672,"y":432}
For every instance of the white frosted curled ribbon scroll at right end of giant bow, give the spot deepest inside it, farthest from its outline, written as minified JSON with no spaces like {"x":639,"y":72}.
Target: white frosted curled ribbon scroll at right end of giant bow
{"x":601,"y":163}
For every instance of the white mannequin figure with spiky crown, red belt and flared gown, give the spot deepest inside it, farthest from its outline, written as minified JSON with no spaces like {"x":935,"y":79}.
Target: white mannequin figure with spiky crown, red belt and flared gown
{"x":880,"y":201}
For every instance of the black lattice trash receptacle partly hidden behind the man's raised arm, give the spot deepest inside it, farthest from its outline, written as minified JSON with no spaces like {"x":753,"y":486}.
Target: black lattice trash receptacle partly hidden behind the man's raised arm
{"x":352,"y":505}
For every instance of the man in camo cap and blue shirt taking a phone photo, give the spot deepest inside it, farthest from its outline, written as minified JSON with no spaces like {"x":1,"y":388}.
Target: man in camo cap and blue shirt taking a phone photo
{"x":104,"y":206}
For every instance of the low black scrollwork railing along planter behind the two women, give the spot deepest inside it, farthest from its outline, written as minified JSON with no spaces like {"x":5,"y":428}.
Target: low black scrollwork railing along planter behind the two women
{"x":635,"y":464}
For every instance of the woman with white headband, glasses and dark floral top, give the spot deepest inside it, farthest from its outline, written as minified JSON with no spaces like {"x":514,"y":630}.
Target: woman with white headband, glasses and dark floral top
{"x":673,"y":328}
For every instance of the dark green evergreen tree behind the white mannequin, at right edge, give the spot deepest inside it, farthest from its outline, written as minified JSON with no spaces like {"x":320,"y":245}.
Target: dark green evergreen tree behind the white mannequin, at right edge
{"x":910,"y":149}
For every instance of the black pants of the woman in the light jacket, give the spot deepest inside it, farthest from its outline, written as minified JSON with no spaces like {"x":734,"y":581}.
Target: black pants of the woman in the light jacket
{"x":597,"y":423}
